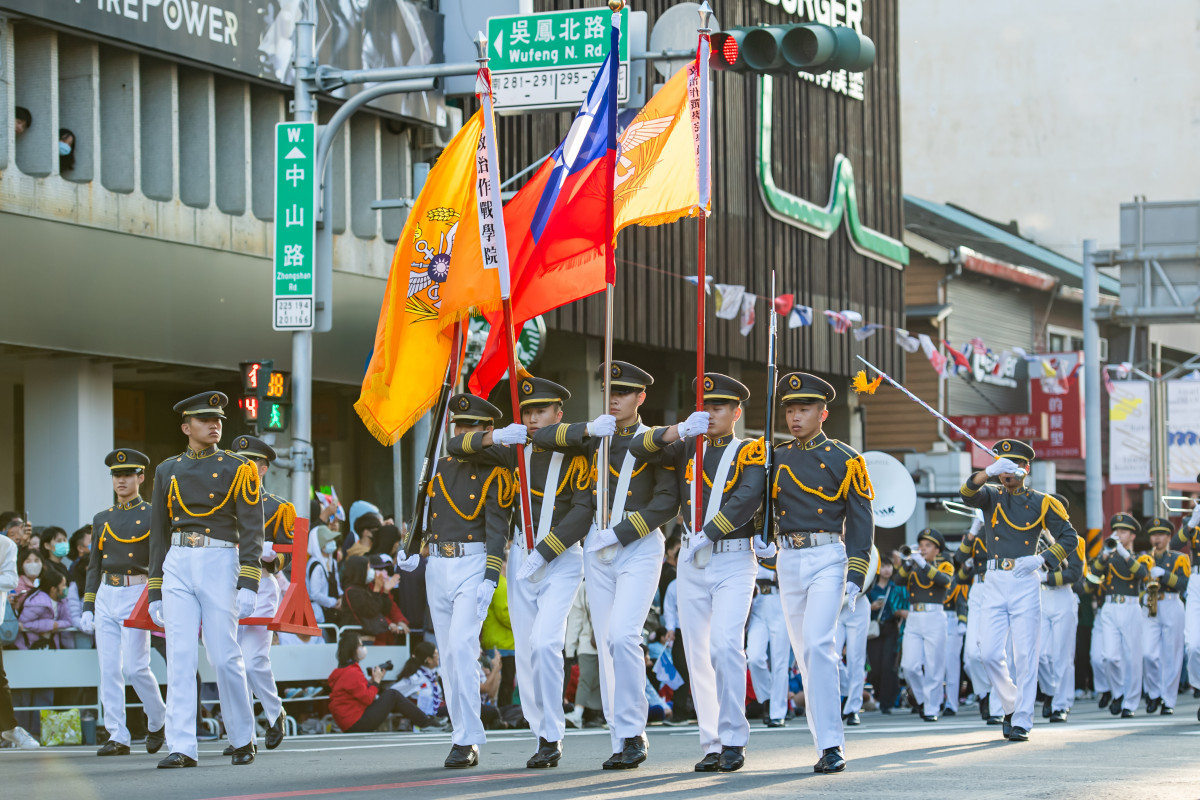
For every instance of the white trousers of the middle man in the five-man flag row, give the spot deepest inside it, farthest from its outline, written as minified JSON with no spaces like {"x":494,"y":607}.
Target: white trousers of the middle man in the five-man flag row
{"x":620,"y":597}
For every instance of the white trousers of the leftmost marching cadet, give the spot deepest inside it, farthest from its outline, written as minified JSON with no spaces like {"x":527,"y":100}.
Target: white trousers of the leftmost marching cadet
{"x":124,"y":657}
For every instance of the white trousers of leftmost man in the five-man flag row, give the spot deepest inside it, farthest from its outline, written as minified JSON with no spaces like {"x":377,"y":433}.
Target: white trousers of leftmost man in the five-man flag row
{"x":451,"y":587}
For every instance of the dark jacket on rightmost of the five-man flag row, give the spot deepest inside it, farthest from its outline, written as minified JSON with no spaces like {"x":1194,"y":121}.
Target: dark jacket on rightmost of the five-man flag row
{"x":823,"y":486}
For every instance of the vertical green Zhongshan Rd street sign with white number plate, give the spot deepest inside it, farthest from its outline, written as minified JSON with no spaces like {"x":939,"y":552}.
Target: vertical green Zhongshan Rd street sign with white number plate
{"x":296,"y":226}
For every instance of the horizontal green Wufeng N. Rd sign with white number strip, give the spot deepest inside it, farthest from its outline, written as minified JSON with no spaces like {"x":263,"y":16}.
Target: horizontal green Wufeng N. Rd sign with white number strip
{"x":550,"y":61}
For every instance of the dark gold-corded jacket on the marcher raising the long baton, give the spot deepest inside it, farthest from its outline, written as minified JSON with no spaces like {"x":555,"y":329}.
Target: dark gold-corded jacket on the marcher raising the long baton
{"x":1013,"y":522}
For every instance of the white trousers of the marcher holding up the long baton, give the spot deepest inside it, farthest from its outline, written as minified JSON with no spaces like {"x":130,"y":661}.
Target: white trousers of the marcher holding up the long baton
{"x":1012,"y":606}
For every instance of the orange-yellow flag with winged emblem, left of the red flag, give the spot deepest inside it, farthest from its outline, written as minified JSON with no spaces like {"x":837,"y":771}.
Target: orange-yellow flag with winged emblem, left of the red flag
{"x":411,"y":350}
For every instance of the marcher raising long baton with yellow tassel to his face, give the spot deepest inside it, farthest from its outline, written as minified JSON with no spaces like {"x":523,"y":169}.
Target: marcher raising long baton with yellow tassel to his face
{"x":1011,"y":591}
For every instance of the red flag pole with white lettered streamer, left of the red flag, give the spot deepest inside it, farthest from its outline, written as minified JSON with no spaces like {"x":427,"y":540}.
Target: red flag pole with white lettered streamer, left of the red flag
{"x":496,"y":251}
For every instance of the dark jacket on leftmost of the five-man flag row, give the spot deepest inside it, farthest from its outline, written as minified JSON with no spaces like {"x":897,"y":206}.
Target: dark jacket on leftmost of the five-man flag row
{"x":471,"y":503}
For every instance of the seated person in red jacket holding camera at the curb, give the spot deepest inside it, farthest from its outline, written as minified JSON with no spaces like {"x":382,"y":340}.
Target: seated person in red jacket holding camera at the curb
{"x":361,"y":706}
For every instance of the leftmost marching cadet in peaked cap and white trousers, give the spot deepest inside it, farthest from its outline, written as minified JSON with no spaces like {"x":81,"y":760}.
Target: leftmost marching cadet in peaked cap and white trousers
{"x":117,"y":575}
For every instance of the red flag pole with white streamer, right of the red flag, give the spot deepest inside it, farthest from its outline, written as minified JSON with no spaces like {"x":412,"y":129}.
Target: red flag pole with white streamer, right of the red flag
{"x":703,"y":176}
